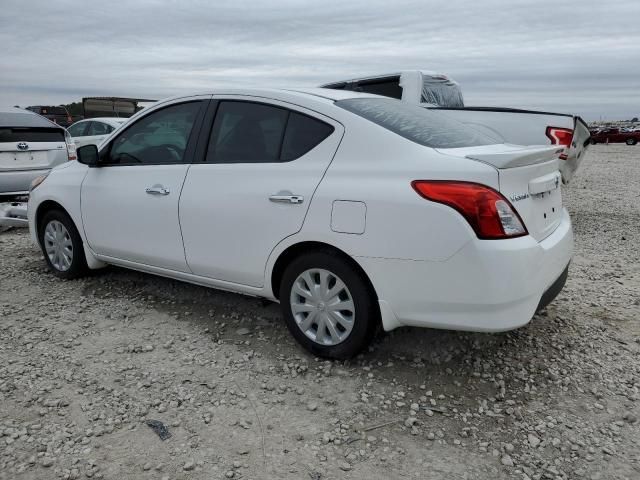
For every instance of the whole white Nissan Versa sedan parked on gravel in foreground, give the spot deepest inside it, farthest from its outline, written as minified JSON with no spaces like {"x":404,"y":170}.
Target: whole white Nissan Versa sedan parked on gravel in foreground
{"x":351,"y":210}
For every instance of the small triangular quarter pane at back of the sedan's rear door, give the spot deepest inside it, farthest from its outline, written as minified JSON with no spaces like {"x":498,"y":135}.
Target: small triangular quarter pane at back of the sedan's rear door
{"x":303,"y":133}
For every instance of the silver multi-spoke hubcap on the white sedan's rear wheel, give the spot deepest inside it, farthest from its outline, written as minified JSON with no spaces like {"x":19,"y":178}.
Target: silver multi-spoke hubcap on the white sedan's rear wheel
{"x":322,"y":306}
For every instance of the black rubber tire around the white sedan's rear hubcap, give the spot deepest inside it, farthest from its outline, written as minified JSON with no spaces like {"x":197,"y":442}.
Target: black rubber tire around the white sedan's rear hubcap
{"x":367,"y":313}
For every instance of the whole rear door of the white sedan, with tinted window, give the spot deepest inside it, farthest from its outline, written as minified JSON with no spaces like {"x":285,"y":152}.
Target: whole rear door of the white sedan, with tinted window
{"x":261,"y":163}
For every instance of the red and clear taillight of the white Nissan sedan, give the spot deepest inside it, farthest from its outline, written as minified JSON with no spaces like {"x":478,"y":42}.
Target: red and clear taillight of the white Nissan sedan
{"x":490,"y":214}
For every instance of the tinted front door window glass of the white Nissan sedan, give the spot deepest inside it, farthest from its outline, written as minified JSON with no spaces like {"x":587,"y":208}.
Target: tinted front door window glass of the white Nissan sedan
{"x":158,"y":138}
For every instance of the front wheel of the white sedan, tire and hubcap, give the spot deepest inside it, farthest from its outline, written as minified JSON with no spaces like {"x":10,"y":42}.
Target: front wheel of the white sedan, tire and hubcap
{"x":62,"y":246}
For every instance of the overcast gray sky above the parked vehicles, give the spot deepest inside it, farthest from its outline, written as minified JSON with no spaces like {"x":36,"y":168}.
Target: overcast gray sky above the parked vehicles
{"x":570,"y":56}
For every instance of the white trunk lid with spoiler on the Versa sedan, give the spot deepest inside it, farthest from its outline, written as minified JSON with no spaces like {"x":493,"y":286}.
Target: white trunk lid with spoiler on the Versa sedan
{"x":529,"y":178}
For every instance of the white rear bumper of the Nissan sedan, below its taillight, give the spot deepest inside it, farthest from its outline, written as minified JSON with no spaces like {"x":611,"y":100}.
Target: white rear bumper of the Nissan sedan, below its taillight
{"x":487,"y":286}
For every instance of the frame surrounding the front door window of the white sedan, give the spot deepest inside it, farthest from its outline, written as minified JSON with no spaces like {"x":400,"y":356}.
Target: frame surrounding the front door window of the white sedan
{"x":192,"y":141}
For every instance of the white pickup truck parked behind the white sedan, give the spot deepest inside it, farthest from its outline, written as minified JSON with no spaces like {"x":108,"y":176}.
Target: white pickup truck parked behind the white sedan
{"x":509,"y":125}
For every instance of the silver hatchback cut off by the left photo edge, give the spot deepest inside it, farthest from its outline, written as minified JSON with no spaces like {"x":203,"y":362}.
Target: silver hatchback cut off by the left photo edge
{"x":30,"y":145}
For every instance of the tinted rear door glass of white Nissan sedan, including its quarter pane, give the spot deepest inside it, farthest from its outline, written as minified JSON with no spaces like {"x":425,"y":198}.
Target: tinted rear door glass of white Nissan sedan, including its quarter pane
{"x":248,"y":132}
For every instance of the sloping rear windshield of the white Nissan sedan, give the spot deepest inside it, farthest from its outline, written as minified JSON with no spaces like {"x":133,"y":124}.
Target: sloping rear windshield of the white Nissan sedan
{"x":422,"y":126}
